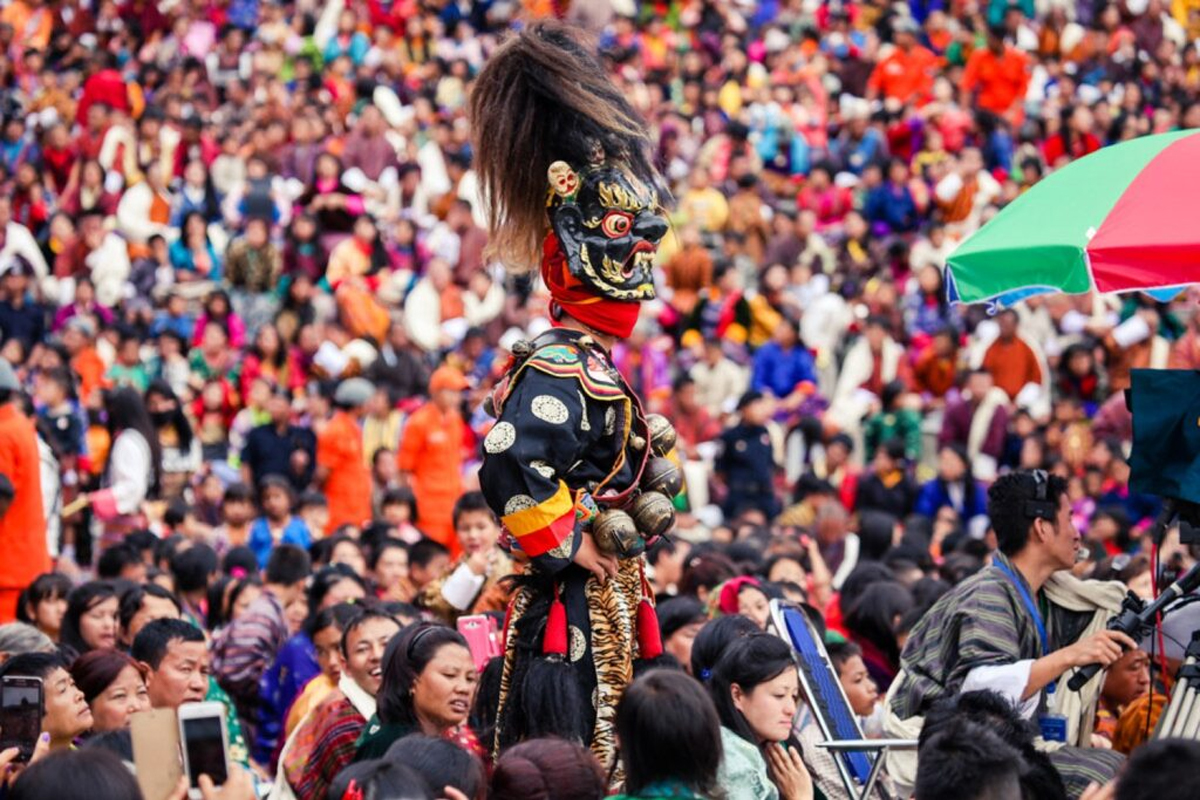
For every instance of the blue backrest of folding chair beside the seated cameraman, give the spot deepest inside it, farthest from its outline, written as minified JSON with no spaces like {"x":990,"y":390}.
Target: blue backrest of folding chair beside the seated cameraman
{"x":823,"y":689}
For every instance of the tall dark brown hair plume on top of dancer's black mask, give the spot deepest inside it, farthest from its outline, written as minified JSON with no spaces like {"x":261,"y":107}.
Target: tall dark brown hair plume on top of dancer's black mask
{"x":544,"y":98}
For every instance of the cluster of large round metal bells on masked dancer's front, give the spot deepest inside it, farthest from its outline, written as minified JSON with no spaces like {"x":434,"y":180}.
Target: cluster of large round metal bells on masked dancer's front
{"x":652,"y":514}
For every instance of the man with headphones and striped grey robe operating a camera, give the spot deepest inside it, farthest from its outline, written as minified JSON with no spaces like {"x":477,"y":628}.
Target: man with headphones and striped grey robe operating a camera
{"x":1017,"y":628}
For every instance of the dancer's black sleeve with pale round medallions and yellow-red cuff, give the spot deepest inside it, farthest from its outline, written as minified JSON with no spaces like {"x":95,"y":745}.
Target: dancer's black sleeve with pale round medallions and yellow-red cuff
{"x":527,"y":454}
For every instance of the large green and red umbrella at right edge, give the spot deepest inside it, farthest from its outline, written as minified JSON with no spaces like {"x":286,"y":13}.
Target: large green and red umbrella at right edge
{"x":1124,"y":219}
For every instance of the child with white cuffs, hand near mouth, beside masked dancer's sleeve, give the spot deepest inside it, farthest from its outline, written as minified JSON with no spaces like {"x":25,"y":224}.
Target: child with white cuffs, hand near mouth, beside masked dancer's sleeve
{"x":471,"y":586}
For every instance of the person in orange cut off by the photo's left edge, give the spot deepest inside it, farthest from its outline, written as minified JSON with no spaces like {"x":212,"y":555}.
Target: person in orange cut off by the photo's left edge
{"x":23,"y":522}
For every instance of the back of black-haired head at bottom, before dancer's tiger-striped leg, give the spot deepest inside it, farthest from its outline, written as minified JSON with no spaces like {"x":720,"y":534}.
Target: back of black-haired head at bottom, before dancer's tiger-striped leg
{"x":669,"y":731}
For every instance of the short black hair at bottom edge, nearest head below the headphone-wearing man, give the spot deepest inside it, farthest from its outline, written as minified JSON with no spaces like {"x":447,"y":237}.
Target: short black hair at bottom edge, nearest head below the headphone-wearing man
{"x":968,"y":762}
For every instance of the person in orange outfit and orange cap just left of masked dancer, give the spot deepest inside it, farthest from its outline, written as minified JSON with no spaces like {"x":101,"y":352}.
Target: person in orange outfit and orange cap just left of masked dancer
{"x":431,"y":456}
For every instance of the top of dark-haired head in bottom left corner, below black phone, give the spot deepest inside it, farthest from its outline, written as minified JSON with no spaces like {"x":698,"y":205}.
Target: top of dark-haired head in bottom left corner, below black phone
{"x":89,"y":774}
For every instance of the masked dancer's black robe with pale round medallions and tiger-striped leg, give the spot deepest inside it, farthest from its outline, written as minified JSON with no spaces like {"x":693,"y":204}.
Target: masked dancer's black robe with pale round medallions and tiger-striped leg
{"x":567,"y":430}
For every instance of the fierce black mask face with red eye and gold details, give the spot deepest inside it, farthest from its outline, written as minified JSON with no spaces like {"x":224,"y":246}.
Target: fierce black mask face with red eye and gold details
{"x":608,"y":228}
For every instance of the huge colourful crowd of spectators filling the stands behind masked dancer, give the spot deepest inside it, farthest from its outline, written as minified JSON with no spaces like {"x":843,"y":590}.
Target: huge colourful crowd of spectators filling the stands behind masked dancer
{"x":248,"y":322}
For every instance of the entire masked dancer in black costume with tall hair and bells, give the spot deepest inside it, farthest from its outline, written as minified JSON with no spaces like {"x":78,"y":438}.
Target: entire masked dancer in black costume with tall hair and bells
{"x":573,"y":467}
